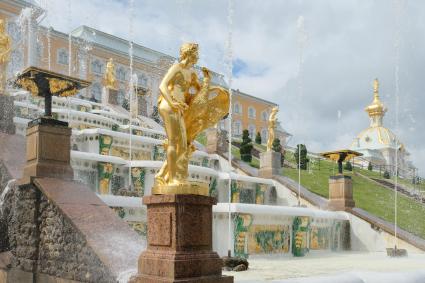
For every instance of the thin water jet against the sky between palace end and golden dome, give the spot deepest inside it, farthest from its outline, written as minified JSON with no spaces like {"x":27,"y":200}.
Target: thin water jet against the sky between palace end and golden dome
{"x":302,"y":40}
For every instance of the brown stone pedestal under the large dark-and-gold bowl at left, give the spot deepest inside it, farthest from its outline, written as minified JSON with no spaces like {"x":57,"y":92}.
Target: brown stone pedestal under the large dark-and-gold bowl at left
{"x":48,"y":150}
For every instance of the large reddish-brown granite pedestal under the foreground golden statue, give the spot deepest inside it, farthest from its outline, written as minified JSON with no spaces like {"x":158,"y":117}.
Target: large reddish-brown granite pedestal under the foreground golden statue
{"x":179,"y":241}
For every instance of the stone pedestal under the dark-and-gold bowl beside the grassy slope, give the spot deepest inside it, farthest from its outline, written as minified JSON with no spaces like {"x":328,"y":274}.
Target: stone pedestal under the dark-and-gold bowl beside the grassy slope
{"x":340,"y":193}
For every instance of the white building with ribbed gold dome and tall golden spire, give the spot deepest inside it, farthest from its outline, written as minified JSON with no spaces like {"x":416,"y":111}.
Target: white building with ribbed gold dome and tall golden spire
{"x":380,"y":145}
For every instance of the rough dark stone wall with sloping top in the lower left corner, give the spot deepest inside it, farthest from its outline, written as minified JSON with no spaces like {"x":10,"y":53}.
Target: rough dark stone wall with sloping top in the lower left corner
{"x":43,"y":241}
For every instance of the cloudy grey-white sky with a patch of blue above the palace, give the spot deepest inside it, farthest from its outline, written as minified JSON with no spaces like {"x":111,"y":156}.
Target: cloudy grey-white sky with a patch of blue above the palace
{"x":316,"y":59}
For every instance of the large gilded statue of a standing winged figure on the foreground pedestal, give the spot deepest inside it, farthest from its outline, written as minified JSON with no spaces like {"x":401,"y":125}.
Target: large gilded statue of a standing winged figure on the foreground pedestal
{"x":187,"y":107}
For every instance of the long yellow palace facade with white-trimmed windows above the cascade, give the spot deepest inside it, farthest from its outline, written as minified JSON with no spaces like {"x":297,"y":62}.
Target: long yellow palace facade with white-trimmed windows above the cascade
{"x":85,"y":52}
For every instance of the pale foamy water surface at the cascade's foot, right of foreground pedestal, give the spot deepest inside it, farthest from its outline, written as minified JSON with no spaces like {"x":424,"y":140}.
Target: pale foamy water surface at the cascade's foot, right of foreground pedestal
{"x":349,"y":266}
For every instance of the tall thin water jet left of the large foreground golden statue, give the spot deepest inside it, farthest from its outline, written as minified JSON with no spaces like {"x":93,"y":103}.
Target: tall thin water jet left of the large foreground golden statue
{"x":131,"y":87}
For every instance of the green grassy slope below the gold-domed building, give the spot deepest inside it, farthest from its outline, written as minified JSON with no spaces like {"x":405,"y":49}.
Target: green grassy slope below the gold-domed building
{"x":367,"y":195}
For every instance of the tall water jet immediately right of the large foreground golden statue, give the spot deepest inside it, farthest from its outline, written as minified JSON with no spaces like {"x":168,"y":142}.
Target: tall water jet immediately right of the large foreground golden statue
{"x":229,"y":61}
